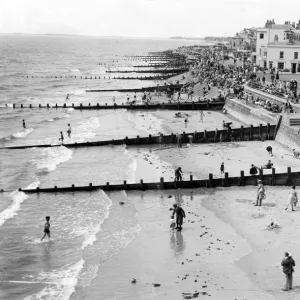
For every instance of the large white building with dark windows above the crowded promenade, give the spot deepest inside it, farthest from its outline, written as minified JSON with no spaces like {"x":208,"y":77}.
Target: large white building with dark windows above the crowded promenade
{"x":278,"y":46}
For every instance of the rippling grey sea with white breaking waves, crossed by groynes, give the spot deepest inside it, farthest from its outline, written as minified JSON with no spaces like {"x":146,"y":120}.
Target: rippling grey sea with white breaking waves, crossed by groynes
{"x":64,"y":267}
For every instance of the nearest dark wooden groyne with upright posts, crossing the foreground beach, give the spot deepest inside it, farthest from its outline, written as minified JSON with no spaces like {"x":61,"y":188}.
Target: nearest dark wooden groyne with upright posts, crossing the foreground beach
{"x":274,"y":179}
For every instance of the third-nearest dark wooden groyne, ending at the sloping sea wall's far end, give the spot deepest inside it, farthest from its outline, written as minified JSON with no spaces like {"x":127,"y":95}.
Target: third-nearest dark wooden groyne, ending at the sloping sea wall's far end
{"x":207,"y":105}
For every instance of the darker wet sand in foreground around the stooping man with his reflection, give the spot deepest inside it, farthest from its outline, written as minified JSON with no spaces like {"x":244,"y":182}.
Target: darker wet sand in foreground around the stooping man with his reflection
{"x":200,"y":261}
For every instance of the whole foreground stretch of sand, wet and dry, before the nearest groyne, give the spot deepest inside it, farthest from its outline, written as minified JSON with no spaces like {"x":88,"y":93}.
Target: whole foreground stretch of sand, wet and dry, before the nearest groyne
{"x":224,"y":251}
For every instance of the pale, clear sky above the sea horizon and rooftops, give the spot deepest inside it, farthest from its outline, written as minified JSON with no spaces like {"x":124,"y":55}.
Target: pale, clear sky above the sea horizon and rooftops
{"x":143,"y":18}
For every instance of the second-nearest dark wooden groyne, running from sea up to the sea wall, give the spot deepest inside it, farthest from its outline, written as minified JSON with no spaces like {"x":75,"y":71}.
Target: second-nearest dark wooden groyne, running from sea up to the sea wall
{"x":251,"y":133}
